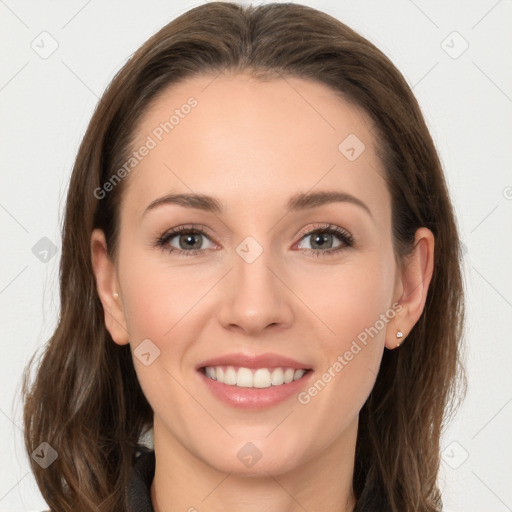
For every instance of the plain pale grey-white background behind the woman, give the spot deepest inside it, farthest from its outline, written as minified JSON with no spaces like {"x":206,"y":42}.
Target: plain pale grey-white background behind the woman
{"x":55,"y":62}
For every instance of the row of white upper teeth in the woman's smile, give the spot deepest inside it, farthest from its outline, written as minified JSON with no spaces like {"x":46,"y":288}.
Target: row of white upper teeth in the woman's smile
{"x":248,"y":378}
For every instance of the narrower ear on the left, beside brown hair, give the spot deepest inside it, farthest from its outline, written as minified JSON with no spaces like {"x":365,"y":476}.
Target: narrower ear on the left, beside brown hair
{"x":107,"y":286}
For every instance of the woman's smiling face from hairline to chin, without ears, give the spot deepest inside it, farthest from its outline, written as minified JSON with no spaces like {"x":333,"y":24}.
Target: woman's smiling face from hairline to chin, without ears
{"x":256,"y":280}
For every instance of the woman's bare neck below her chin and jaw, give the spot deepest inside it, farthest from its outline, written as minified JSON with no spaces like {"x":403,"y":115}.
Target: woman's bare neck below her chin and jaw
{"x":183,"y":482}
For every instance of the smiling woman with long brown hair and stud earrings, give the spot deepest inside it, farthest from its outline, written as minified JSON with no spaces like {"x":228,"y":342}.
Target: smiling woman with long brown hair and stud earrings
{"x":260,"y":269}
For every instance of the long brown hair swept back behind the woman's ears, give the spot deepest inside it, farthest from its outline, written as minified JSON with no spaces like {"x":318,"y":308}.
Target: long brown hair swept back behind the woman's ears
{"x":85,"y":399}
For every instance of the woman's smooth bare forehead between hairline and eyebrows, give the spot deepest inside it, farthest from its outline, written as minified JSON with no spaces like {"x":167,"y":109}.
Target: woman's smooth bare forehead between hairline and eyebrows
{"x":249,"y":142}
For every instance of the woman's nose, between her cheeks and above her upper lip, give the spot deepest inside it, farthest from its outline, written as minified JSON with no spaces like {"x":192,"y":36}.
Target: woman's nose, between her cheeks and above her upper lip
{"x":254,"y":296}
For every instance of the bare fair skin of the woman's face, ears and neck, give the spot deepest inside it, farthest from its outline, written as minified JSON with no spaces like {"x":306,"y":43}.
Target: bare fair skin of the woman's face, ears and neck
{"x":251,"y":143}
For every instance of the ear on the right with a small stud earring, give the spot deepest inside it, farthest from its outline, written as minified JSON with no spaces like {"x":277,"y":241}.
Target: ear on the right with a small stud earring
{"x":412,"y":287}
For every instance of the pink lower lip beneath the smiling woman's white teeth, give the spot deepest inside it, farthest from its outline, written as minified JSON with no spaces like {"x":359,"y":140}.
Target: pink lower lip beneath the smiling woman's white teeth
{"x":255,"y":398}
